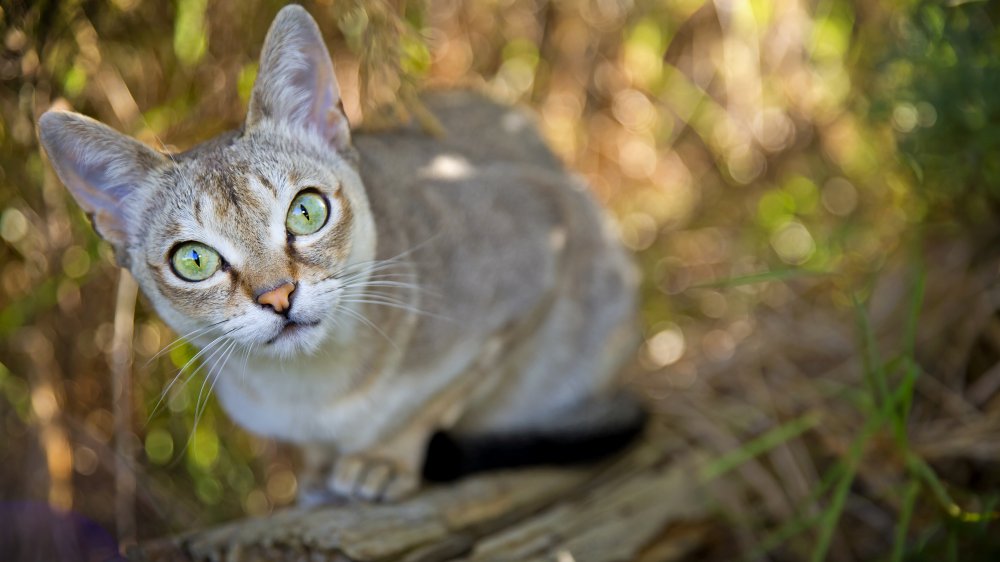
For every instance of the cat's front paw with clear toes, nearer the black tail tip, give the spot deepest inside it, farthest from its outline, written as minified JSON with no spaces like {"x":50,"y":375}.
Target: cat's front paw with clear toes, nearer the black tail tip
{"x":372,"y":478}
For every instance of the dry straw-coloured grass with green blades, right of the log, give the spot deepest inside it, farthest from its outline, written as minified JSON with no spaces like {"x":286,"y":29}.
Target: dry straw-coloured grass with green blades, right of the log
{"x":855,"y":446}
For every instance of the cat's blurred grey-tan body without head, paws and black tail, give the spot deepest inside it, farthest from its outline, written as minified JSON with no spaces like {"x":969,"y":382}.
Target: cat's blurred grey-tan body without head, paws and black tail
{"x":511,"y":259}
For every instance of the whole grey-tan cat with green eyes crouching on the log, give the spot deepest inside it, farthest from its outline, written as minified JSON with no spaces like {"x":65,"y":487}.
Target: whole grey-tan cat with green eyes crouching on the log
{"x":384,"y":294}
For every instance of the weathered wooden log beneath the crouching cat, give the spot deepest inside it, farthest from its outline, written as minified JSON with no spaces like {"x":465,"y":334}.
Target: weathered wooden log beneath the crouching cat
{"x":615,"y":511}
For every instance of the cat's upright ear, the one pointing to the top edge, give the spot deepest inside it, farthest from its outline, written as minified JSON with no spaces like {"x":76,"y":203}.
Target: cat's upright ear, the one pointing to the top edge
{"x":295,"y":84}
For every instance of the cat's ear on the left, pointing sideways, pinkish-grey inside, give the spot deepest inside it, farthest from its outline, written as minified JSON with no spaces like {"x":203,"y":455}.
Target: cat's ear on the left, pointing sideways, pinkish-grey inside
{"x":100,"y":166}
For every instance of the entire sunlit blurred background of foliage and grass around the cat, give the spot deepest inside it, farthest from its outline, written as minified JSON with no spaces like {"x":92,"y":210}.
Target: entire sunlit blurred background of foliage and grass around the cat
{"x":789,"y":173}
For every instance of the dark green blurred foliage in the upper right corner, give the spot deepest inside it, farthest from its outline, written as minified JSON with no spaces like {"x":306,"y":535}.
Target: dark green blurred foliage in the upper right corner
{"x":940,"y":88}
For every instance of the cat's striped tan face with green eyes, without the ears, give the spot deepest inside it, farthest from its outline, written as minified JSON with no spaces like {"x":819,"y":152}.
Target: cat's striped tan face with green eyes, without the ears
{"x":256,"y":238}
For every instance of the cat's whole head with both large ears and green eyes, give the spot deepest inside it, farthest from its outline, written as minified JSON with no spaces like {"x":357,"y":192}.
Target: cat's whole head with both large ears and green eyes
{"x":251,"y":234}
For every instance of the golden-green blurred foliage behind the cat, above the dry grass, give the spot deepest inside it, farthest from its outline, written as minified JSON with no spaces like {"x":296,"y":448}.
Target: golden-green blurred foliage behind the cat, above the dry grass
{"x":749,"y":141}
